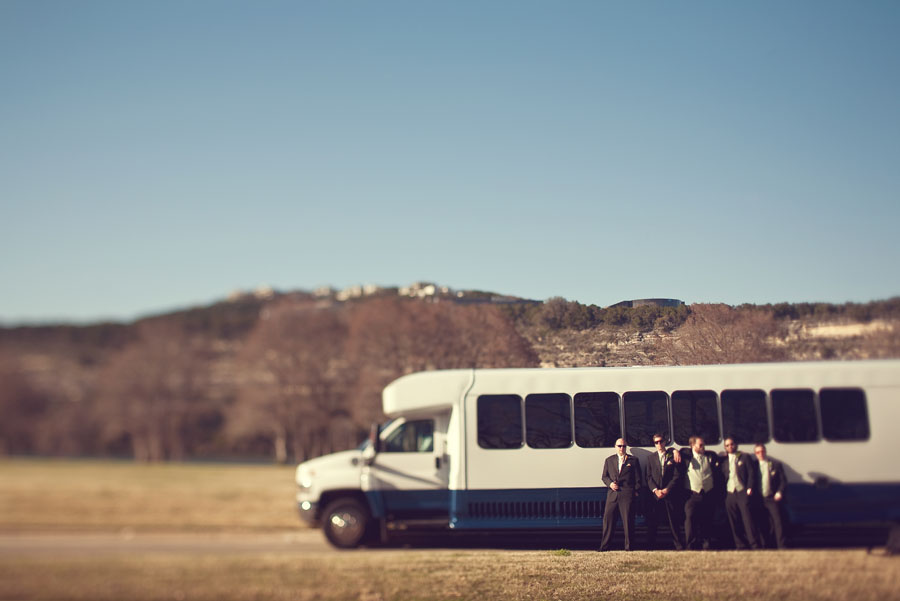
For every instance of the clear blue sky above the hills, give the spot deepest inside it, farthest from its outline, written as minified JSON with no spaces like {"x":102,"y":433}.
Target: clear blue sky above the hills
{"x":161,"y":154}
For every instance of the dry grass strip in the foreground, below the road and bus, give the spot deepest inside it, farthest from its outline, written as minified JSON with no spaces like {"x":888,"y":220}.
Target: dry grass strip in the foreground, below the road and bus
{"x":441,"y":575}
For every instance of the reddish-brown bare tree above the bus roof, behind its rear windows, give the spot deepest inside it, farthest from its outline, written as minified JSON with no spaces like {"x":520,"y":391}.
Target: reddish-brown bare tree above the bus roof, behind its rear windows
{"x":717,"y":333}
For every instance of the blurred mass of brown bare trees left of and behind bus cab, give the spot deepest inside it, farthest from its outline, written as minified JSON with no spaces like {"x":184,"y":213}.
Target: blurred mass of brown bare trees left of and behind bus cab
{"x":304,"y":380}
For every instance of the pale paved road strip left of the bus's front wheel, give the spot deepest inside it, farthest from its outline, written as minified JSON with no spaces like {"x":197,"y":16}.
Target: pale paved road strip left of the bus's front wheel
{"x":301,"y":541}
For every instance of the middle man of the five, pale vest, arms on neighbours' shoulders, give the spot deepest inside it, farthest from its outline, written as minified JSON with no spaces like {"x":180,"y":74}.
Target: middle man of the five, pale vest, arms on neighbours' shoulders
{"x":699,"y":467}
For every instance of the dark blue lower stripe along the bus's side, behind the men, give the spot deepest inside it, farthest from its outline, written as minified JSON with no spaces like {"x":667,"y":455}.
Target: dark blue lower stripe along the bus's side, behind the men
{"x":572,"y":508}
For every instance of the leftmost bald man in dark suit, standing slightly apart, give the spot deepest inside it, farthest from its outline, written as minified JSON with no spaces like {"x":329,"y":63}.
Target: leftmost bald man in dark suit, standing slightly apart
{"x":622,"y":474}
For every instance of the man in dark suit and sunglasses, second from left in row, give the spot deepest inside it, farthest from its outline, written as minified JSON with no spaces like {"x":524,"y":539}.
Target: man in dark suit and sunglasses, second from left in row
{"x":663,"y":479}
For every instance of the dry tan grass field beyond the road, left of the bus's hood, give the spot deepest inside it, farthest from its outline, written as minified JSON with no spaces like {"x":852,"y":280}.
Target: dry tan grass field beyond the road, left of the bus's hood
{"x":89,"y":495}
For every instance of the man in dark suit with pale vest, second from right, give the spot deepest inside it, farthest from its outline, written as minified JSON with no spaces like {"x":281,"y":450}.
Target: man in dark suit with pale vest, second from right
{"x":738,"y":469}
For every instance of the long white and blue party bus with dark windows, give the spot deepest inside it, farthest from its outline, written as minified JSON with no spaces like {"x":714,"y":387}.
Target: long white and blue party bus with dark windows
{"x":522,"y":449}
